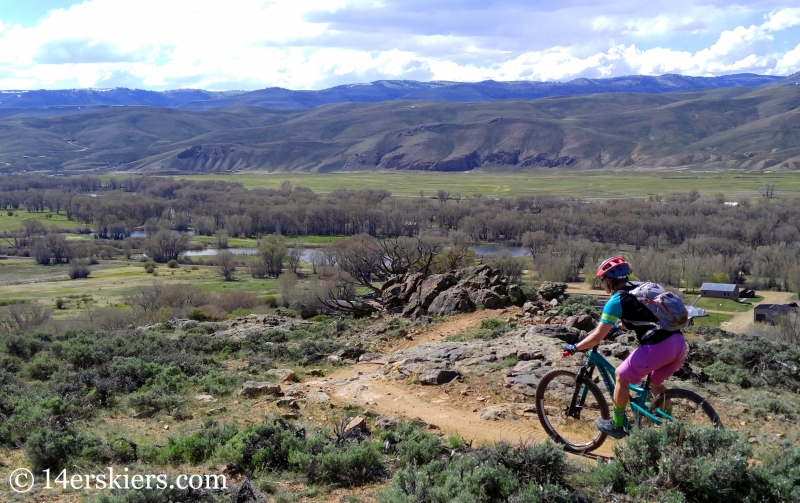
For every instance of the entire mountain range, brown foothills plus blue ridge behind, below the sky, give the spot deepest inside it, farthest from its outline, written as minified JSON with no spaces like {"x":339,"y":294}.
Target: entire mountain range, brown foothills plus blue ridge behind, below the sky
{"x":739,"y":121}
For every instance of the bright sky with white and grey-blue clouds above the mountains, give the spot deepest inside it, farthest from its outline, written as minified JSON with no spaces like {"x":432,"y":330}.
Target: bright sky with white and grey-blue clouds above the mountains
{"x":313,"y":44}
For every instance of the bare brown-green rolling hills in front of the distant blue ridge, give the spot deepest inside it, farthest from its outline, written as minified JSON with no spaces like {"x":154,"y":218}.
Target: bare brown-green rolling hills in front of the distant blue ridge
{"x":754,"y":128}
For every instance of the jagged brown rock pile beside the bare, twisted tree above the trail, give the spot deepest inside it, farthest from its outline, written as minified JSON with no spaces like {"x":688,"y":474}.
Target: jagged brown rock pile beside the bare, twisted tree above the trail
{"x":459,"y":291}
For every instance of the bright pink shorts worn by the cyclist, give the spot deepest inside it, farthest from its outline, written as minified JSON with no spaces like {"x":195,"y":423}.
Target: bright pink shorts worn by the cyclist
{"x":662,"y":359}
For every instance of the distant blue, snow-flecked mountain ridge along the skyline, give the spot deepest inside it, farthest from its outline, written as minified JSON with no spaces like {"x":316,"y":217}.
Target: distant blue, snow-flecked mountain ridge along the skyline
{"x":46,"y":102}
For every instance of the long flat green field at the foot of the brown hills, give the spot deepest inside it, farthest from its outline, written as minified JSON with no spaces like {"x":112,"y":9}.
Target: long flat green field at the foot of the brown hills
{"x":587,"y":184}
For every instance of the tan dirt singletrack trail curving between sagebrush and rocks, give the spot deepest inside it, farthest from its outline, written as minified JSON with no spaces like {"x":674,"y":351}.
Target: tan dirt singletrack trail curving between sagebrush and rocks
{"x":453,"y":407}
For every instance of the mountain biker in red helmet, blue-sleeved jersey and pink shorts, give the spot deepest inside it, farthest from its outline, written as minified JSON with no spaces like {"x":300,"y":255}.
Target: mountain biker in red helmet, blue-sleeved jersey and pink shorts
{"x":661,"y":352}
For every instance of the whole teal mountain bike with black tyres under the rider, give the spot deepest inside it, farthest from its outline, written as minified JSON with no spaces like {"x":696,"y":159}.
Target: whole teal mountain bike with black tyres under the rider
{"x":568,"y":403}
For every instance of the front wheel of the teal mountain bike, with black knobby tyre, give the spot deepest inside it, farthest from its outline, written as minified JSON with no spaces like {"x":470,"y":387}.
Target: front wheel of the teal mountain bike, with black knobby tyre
{"x":573,"y":428}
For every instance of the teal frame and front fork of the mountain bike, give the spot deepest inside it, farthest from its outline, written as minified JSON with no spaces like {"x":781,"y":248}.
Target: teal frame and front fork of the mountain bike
{"x":608,"y":374}
